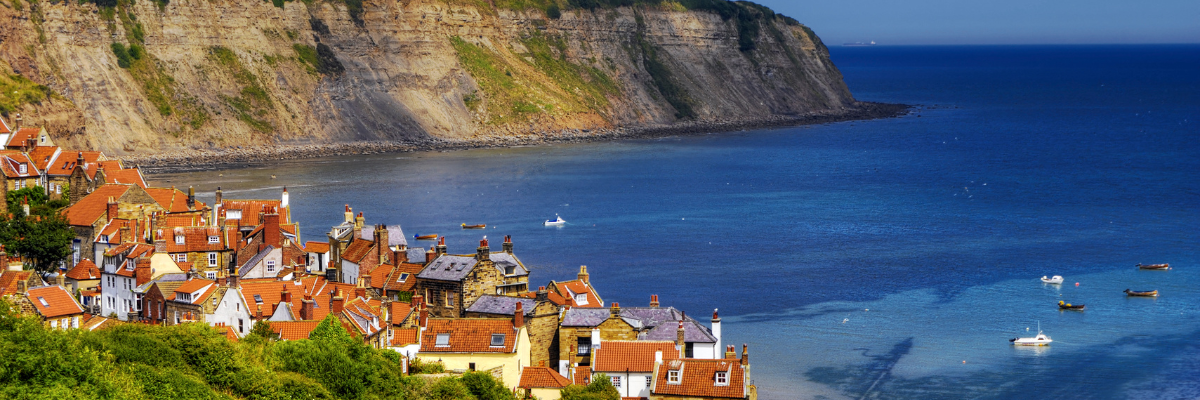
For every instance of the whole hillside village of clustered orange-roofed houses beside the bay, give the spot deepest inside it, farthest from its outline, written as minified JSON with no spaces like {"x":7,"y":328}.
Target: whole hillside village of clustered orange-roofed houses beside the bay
{"x":145,"y":255}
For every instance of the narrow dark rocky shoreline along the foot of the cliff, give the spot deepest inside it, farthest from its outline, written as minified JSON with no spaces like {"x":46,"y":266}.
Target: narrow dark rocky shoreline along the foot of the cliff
{"x":239,"y":158}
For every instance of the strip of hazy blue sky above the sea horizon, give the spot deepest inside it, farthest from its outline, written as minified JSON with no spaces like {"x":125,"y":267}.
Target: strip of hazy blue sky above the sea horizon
{"x":1009,"y":22}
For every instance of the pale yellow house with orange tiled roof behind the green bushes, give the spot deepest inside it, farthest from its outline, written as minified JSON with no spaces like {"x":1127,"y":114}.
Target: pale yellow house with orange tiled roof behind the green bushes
{"x":493,"y":345}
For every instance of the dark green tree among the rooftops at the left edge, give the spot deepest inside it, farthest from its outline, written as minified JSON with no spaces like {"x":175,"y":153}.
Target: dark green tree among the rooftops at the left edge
{"x":44,"y":238}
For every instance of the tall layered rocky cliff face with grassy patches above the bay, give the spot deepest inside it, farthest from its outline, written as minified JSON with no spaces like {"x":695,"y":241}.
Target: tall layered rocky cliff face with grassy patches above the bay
{"x":151,"y":76}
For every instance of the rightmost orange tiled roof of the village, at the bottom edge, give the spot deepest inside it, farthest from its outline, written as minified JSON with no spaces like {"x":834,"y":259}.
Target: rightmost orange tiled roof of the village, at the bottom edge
{"x":698,"y":379}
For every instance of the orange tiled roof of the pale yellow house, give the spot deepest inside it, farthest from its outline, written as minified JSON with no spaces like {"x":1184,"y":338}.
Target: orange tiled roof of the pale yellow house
{"x":469,"y":336}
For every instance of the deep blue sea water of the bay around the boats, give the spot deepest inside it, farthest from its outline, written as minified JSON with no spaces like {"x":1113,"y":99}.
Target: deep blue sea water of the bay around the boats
{"x":890,"y":259}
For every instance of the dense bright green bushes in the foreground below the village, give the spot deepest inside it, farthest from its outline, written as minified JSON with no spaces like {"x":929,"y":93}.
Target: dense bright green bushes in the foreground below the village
{"x":196,"y":362}
